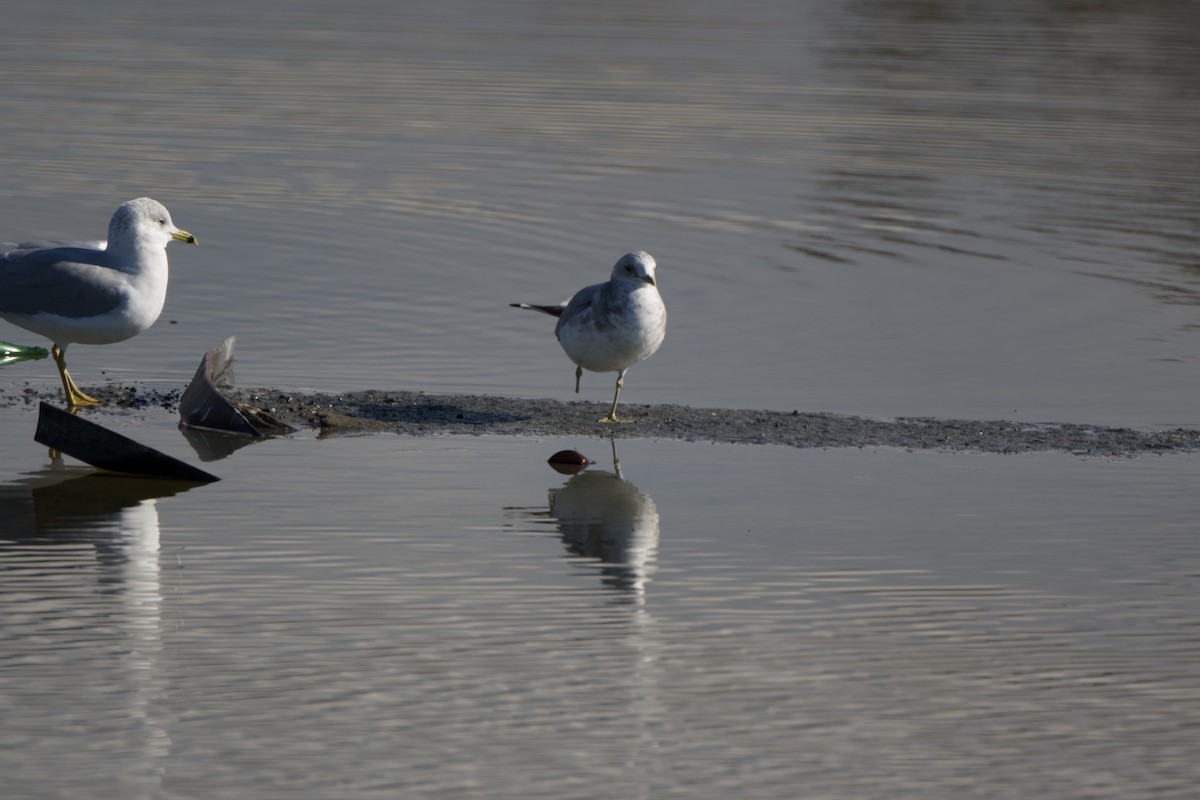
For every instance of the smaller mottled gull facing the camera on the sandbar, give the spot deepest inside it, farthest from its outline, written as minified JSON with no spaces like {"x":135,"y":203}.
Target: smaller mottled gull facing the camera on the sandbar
{"x":611,"y":327}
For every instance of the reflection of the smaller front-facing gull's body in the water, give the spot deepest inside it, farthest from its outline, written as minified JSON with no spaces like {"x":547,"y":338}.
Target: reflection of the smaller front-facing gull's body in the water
{"x":603,"y":516}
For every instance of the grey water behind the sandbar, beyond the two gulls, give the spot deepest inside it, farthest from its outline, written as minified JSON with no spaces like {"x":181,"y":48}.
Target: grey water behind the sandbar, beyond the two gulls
{"x":881,"y":208}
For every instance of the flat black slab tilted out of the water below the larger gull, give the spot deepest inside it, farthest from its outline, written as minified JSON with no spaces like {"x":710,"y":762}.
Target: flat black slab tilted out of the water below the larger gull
{"x":105,"y":449}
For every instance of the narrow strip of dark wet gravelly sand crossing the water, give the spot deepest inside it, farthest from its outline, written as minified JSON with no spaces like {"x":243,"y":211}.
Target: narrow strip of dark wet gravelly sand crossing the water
{"x":424,"y":414}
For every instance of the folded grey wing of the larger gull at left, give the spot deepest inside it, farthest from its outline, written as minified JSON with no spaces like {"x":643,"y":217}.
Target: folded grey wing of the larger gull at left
{"x":69,"y":281}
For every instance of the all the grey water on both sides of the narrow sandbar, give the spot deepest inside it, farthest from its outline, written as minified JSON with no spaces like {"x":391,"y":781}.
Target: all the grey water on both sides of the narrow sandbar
{"x":875,"y":208}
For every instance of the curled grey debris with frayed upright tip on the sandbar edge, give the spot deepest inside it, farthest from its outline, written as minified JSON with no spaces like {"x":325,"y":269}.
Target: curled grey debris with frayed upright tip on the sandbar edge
{"x":203,"y":406}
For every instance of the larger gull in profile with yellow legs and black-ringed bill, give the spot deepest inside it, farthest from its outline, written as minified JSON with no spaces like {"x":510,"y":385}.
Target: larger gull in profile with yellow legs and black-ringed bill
{"x":92,"y":293}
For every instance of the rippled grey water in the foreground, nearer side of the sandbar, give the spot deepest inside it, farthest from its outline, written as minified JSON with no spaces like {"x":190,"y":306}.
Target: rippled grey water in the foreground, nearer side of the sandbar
{"x":449,"y":617}
